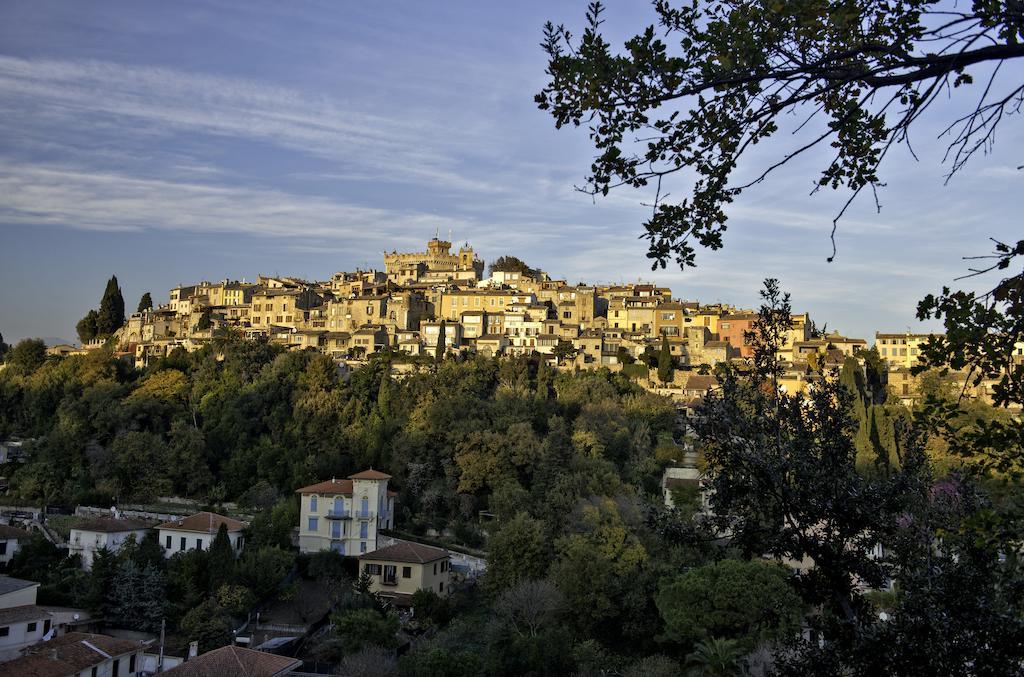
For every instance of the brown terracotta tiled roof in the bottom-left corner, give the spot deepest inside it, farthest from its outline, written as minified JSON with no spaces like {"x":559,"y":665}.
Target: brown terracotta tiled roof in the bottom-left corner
{"x":68,"y":655}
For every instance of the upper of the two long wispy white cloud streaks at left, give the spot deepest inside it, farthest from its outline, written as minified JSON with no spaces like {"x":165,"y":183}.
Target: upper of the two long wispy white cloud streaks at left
{"x":120,"y":102}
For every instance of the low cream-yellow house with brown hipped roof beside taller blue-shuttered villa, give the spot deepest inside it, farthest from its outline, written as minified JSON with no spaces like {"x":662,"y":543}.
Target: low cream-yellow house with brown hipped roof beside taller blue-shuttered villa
{"x":399,"y":571}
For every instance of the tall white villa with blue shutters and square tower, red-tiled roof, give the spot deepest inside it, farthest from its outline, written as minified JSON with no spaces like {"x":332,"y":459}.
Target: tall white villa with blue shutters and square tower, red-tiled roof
{"x":346,"y":516}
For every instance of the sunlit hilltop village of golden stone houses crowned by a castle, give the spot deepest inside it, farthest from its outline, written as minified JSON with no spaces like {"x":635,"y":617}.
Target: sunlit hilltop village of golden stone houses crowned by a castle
{"x":441,"y":297}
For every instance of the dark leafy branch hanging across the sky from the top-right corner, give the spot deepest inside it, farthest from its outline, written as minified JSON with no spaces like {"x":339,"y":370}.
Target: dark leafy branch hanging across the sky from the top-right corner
{"x":714,"y":79}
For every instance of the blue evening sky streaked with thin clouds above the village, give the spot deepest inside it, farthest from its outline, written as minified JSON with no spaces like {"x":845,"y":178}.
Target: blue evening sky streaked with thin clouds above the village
{"x":173,"y":143}
